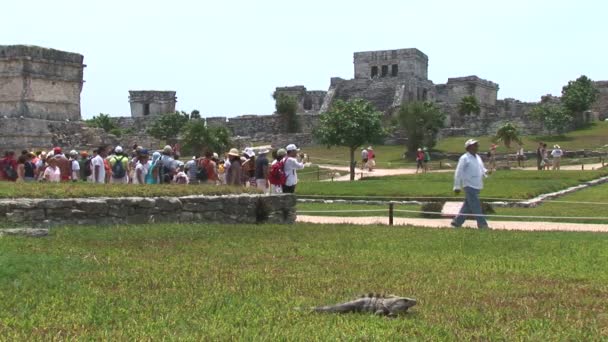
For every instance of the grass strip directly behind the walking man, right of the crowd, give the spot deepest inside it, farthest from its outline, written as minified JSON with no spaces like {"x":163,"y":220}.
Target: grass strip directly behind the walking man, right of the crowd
{"x":502,"y":184}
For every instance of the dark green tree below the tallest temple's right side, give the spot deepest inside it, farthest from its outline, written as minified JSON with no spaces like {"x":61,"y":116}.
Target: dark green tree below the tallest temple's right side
{"x":421,"y":122}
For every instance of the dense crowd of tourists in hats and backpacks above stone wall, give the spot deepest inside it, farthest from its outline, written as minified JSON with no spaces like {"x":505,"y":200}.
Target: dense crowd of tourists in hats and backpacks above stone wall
{"x":104,"y":165}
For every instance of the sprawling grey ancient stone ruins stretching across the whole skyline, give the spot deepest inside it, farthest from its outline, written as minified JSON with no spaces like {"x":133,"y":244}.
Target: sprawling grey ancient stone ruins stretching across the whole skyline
{"x":40,"y":101}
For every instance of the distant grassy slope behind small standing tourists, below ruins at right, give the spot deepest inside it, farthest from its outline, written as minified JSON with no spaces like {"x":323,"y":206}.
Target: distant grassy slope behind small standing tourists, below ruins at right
{"x":593,"y":137}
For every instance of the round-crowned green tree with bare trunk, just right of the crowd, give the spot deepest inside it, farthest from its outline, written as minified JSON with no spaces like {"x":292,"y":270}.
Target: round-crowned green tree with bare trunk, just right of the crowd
{"x":351,"y":124}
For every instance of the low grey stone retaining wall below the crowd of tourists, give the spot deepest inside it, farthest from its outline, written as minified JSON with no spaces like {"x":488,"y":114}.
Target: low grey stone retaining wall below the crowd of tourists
{"x":229,"y":209}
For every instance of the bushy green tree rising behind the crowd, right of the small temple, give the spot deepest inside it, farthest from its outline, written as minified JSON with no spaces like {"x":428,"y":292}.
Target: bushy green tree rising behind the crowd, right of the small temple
{"x":198,"y":137}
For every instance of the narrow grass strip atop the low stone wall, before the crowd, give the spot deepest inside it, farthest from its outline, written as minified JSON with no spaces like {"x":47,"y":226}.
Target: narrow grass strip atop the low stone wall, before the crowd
{"x":80,"y":190}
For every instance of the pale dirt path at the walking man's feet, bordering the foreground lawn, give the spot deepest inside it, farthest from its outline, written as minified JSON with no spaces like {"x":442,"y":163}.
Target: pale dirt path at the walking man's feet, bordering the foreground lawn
{"x":445,"y":223}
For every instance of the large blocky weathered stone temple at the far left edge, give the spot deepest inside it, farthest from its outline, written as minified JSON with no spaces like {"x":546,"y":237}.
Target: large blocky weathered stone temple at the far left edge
{"x":40,"y":83}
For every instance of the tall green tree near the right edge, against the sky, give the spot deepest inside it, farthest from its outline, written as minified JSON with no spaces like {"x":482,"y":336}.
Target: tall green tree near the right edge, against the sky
{"x":578,"y":96}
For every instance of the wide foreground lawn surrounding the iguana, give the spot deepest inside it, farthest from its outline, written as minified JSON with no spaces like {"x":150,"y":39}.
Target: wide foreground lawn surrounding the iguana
{"x":196,"y":282}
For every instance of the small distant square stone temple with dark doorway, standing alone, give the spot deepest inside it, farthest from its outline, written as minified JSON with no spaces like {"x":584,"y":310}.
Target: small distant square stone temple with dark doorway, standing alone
{"x":151,"y":102}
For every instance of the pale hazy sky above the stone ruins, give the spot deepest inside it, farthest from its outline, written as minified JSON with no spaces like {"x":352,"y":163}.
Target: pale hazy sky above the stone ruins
{"x":226,"y":57}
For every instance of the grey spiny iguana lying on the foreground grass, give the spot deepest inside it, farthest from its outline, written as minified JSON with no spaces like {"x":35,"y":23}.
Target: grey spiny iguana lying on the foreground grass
{"x":378,"y":304}
